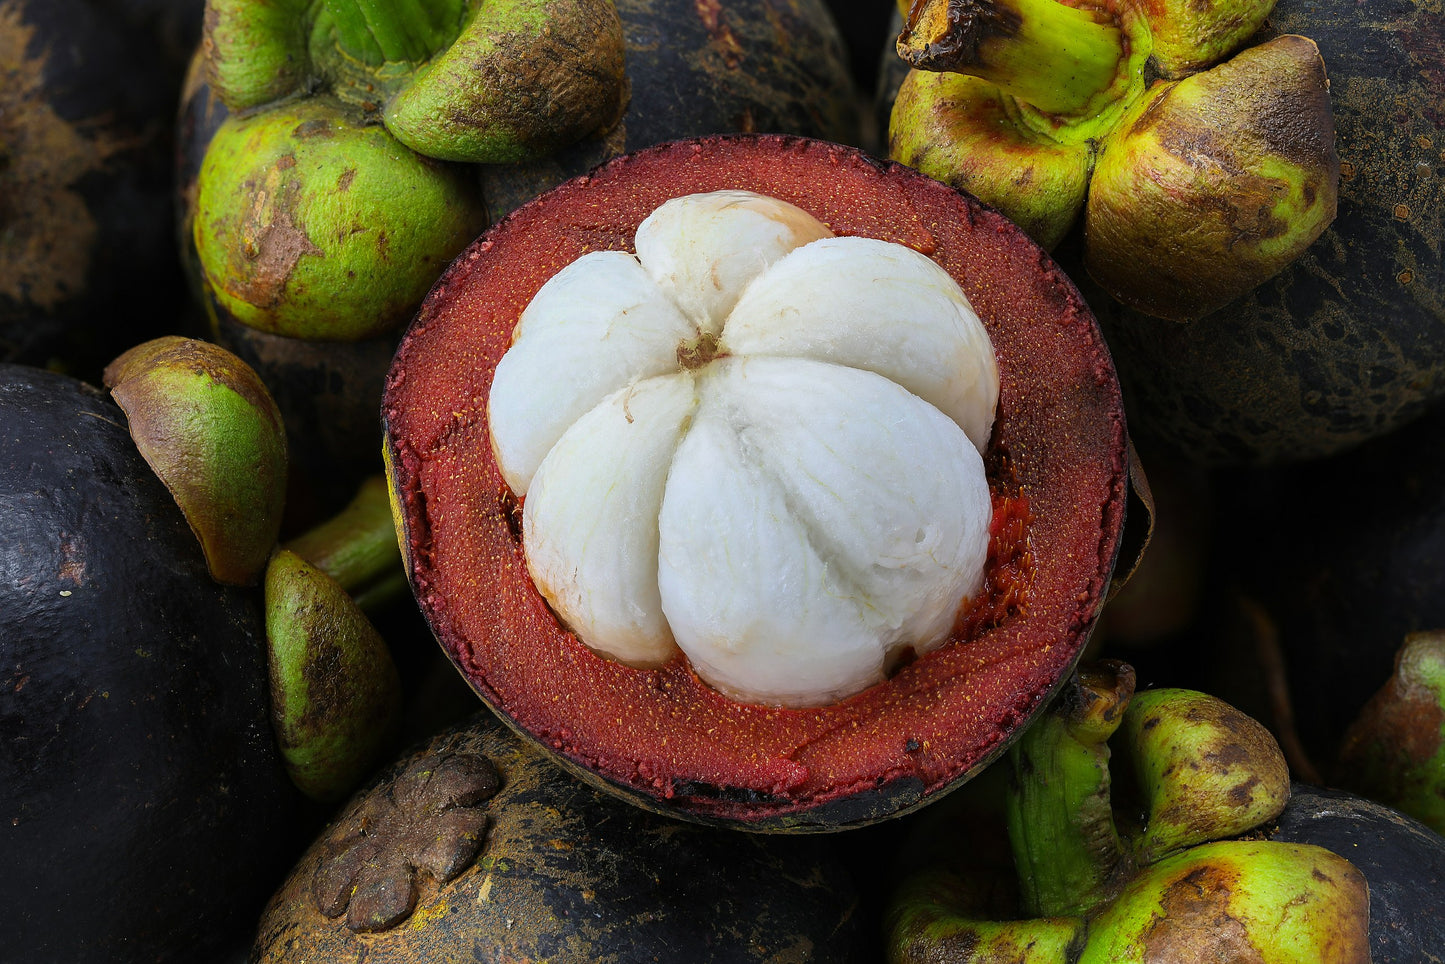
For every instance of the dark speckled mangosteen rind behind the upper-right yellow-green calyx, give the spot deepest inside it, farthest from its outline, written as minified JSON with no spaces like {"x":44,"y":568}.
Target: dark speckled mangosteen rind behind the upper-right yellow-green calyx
{"x":1350,"y":340}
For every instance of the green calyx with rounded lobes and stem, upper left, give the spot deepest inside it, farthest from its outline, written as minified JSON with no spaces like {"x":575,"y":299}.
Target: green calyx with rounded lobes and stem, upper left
{"x":336,"y":191}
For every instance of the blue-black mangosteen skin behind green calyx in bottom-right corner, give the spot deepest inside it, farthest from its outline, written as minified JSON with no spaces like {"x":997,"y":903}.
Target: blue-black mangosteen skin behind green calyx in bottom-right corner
{"x":1402,"y":859}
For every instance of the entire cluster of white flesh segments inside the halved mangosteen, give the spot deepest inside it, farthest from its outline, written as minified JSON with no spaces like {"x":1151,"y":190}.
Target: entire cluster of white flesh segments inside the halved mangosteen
{"x":755,"y":443}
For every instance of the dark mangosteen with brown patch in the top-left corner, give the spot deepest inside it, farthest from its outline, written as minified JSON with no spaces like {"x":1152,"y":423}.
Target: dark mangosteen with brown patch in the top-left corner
{"x":86,"y":177}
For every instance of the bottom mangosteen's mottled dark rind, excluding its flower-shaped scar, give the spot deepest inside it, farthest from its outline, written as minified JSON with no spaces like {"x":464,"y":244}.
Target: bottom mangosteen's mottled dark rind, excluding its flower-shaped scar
{"x":567,"y":874}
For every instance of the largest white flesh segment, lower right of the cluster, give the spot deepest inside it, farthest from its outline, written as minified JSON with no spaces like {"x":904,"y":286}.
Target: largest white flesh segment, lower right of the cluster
{"x":817,"y":520}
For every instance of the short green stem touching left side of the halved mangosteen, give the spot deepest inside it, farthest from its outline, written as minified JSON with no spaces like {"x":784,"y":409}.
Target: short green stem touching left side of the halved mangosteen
{"x":358,"y":547}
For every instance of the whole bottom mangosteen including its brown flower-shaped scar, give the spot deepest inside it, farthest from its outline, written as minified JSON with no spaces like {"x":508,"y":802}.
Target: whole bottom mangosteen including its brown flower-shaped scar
{"x":478,"y":848}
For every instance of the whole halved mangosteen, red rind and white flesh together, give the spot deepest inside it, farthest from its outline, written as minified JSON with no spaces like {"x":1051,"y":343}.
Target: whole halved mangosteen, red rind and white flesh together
{"x":993,"y":512}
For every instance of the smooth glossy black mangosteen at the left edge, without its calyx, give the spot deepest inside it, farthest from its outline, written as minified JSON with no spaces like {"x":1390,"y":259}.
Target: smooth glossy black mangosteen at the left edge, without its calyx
{"x":144,"y":809}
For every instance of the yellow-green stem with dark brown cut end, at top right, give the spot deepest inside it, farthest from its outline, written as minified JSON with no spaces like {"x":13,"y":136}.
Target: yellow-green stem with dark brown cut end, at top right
{"x":1057,"y":59}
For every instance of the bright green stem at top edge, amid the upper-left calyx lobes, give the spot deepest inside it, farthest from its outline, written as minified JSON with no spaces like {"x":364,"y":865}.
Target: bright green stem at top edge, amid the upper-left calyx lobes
{"x":381,"y":33}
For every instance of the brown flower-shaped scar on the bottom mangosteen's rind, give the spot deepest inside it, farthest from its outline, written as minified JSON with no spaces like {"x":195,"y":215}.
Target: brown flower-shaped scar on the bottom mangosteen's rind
{"x":431,"y":820}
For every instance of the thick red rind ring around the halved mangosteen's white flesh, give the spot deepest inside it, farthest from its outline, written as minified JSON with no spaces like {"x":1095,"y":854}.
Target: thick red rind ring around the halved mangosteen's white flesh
{"x":1056,"y":466}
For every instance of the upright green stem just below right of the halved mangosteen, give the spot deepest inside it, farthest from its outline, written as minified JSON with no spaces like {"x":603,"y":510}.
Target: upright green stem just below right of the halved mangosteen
{"x":1067,"y":849}
